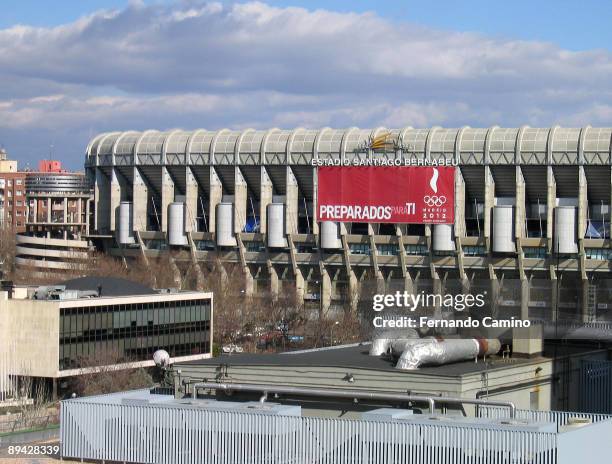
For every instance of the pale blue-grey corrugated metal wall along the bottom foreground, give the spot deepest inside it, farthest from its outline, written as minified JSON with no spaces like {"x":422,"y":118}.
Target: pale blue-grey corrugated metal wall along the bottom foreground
{"x":127,"y":433}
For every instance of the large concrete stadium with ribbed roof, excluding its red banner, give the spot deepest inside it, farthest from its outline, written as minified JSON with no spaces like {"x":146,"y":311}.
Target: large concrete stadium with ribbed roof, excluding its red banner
{"x":532,"y":206}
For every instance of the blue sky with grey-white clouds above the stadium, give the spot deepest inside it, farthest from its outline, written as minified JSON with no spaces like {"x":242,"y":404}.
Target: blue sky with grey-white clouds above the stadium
{"x":72,"y":69}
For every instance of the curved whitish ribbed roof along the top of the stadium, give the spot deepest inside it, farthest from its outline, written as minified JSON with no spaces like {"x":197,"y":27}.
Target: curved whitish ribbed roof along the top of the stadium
{"x":495,"y":145}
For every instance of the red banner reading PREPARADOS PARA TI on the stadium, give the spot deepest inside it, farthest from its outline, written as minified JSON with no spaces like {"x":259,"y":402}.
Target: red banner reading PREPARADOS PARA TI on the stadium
{"x":396,"y":194}
